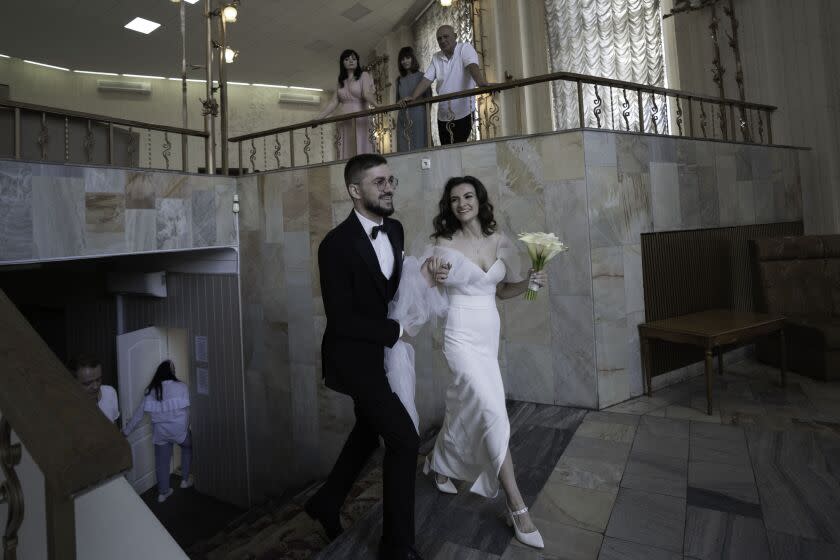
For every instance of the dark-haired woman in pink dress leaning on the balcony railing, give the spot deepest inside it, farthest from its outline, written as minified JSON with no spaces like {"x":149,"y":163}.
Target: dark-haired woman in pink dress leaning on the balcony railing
{"x":355,"y":92}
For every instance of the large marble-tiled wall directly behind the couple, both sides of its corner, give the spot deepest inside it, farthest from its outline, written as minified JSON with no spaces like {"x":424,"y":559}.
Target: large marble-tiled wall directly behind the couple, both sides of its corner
{"x":577,"y":345}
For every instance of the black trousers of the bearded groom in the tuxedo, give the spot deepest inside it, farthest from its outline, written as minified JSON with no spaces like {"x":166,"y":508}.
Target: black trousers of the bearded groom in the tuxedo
{"x":379,"y":412}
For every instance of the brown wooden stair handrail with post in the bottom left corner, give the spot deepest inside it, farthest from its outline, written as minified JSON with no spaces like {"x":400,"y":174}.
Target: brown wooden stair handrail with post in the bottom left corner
{"x":74,"y":445}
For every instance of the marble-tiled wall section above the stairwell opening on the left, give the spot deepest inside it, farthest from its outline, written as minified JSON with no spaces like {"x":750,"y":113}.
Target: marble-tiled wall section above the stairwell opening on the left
{"x":50,"y":211}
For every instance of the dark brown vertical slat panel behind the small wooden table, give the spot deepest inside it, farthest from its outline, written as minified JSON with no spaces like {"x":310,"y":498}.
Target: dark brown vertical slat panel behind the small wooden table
{"x":694,"y":270}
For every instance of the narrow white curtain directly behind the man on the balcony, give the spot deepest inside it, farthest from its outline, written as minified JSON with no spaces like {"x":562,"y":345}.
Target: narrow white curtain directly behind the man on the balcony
{"x":459,"y":16}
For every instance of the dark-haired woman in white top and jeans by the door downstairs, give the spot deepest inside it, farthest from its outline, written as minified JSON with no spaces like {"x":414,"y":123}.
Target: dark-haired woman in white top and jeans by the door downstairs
{"x":167,"y":401}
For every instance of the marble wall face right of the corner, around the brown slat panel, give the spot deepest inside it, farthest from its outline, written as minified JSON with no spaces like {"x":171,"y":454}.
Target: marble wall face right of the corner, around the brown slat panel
{"x":640,"y":184}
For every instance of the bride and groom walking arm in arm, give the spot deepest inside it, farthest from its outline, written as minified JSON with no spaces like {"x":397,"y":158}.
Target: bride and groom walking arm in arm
{"x":372,"y":298}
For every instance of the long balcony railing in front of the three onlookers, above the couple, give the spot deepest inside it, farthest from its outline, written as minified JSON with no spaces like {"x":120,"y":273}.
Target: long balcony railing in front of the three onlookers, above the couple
{"x":589,"y":102}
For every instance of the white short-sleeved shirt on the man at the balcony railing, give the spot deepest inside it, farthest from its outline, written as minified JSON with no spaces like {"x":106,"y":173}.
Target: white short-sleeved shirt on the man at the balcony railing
{"x":452,"y":76}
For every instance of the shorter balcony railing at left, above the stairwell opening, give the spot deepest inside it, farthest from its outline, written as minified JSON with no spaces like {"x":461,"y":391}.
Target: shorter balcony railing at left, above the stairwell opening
{"x":39,"y":133}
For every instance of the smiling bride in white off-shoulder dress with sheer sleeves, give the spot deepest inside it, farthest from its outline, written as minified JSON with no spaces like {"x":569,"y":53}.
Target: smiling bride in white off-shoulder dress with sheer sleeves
{"x":482,"y":264}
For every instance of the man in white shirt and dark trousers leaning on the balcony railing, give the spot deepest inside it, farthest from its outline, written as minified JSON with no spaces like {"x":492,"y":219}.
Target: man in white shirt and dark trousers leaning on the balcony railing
{"x":454,"y":68}
